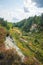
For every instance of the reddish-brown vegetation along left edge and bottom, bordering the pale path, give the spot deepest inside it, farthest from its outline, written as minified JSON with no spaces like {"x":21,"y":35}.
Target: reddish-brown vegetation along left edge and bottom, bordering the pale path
{"x":10,"y":56}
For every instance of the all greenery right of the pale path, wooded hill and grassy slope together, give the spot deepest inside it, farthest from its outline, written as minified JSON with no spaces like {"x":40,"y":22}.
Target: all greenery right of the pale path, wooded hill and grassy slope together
{"x":30,"y":38}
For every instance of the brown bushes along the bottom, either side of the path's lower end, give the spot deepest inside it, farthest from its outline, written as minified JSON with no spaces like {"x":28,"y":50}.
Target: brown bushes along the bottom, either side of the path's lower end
{"x":10,"y":58}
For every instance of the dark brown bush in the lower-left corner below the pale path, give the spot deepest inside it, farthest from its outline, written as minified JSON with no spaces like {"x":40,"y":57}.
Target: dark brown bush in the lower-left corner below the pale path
{"x":8,"y":57}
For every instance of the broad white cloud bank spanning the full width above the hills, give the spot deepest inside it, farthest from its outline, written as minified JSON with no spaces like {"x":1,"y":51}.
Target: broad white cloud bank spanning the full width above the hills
{"x":19,"y":13}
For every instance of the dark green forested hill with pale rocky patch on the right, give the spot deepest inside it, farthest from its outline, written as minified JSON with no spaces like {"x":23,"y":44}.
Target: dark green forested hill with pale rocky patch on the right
{"x":31,"y":24}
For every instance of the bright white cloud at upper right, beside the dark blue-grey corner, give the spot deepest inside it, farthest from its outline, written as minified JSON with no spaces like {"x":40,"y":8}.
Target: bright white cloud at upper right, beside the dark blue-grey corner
{"x":32,"y":8}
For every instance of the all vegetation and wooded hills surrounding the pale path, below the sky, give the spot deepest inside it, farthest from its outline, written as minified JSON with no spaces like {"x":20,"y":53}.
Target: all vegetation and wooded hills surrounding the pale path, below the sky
{"x":28,"y":35}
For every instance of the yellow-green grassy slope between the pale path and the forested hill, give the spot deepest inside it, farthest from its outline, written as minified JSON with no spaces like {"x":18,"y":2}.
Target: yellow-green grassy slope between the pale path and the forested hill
{"x":33,"y":45}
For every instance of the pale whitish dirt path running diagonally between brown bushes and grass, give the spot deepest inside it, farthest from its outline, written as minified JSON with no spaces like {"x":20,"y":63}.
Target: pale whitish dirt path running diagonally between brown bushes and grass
{"x":10,"y":44}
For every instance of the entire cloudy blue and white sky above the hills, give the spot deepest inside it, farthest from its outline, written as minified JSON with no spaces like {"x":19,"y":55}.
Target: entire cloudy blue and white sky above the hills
{"x":16,"y":10}
